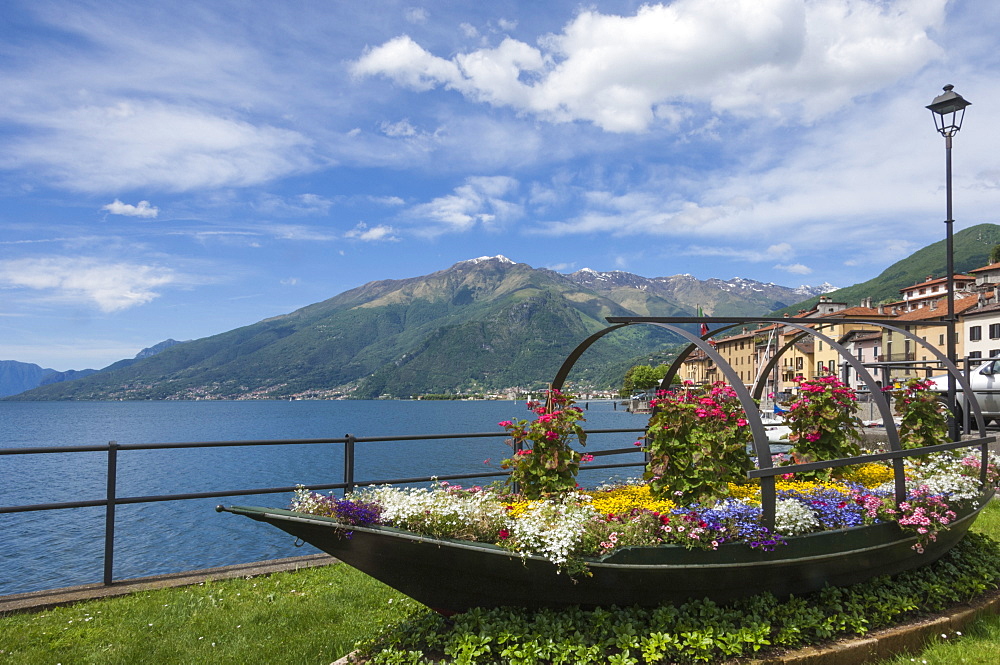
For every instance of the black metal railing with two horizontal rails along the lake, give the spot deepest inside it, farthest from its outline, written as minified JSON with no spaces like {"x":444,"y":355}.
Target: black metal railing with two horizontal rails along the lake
{"x":111,"y":499}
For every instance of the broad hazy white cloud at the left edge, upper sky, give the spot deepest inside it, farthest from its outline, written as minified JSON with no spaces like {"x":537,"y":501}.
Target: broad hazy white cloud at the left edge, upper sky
{"x":132,"y":145}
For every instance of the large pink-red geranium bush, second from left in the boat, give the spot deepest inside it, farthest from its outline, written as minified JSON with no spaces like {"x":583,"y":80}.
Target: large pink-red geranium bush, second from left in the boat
{"x":697,"y":443}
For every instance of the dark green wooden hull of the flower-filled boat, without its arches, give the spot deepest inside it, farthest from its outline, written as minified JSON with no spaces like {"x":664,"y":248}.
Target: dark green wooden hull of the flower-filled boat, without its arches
{"x":454,"y":576}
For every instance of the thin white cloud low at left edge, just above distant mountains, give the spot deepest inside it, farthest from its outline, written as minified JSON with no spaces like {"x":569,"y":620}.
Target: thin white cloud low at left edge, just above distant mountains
{"x":109,"y":286}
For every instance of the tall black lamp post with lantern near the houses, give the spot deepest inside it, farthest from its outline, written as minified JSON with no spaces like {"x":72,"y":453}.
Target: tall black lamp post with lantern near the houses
{"x":948,"y":110}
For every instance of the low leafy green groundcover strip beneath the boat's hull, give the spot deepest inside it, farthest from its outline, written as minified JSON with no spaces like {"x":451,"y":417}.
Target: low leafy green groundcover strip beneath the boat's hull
{"x":698,"y":631}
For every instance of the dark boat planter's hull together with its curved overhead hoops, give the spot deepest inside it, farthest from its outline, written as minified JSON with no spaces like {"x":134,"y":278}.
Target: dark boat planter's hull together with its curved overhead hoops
{"x":453,"y":576}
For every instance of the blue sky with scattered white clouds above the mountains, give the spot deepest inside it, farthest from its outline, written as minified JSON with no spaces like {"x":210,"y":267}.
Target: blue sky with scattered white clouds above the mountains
{"x":179,"y":169}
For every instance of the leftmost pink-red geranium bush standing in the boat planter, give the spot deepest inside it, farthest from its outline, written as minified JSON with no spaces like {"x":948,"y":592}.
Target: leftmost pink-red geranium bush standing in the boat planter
{"x":544,"y":462}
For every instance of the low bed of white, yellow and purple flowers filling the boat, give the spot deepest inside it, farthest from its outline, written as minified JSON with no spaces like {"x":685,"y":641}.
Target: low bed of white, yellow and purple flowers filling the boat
{"x":567,"y":527}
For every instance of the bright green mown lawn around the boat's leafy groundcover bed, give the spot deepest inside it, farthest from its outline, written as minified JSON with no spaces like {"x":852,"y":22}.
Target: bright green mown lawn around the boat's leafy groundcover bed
{"x":312,"y":616}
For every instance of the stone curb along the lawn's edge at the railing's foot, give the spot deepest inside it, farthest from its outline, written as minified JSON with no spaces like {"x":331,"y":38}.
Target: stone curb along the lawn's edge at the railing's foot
{"x":41,"y":600}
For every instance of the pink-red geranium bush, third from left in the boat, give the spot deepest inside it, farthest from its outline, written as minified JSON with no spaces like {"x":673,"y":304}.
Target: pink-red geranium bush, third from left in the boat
{"x":824,"y":424}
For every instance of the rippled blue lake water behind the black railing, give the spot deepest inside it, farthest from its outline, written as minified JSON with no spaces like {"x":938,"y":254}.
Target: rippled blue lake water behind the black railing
{"x":57,"y":548}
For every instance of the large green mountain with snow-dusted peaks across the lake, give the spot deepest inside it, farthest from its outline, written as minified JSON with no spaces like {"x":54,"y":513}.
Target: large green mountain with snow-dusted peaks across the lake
{"x":481,"y":325}
